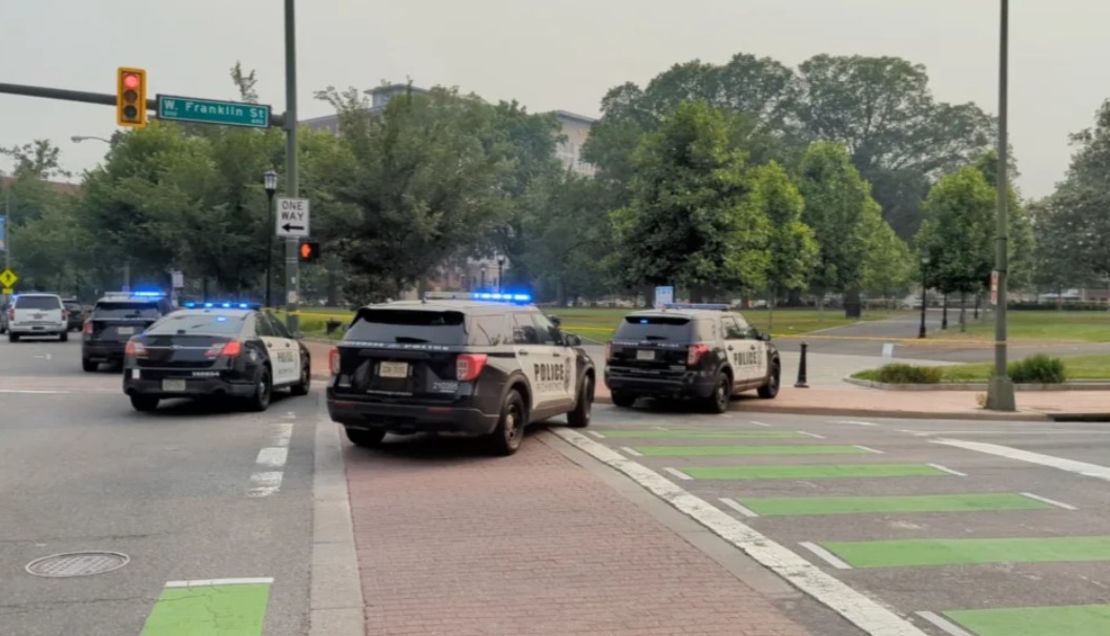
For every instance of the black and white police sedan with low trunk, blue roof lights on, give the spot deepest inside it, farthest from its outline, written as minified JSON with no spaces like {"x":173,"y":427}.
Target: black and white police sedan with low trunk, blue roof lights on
{"x":215,"y":350}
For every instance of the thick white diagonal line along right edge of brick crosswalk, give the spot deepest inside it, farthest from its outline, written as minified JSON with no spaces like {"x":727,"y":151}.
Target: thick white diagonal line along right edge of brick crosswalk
{"x":859,"y":609}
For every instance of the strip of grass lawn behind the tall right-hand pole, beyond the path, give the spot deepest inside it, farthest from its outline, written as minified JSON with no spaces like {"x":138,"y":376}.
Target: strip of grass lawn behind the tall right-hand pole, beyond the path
{"x":1038,"y":326}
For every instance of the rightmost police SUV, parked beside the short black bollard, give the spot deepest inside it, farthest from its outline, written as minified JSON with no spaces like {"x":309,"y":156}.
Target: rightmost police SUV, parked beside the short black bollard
{"x":701,"y":352}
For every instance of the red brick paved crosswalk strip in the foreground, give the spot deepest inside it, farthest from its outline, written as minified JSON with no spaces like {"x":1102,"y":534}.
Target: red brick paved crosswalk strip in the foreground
{"x":452,"y":542}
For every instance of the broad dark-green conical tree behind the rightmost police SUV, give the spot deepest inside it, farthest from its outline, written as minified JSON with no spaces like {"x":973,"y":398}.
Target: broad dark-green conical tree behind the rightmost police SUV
{"x":687,"y":223}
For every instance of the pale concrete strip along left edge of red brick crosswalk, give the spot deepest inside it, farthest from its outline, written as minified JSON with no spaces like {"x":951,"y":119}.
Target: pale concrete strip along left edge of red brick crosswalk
{"x":336,"y":602}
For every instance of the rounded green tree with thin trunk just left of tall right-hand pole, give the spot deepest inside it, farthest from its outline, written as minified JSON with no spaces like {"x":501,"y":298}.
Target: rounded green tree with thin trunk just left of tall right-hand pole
{"x":958,"y":231}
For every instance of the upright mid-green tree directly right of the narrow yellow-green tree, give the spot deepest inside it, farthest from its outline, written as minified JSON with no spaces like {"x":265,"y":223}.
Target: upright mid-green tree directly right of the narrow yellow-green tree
{"x":837,"y":199}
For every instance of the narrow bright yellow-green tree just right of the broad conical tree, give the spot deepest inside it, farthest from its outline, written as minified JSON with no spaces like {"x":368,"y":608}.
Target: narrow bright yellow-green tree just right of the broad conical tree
{"x":792,"y":246}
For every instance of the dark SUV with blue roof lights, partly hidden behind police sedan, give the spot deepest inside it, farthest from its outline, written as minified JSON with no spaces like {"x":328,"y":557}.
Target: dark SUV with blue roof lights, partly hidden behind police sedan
{"x":115,"y":319}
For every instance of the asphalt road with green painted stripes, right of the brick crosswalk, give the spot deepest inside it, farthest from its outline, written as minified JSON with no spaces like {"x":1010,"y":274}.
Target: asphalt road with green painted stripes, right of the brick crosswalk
{"x":974,"y":530}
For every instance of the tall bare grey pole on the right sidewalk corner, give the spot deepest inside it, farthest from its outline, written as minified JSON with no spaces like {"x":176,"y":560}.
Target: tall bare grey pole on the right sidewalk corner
{"x":1001,"y":390}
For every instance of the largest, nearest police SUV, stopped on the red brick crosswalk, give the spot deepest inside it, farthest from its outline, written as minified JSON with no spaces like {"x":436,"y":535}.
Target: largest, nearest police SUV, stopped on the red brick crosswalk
{"x":470,"y":364}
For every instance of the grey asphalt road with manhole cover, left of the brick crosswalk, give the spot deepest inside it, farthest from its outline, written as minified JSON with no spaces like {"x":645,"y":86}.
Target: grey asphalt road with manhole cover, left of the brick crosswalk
{"x":82,"y":471}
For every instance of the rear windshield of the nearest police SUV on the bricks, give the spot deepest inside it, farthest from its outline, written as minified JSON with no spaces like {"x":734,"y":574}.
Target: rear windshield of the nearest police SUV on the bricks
{"x":408,"y":327}
